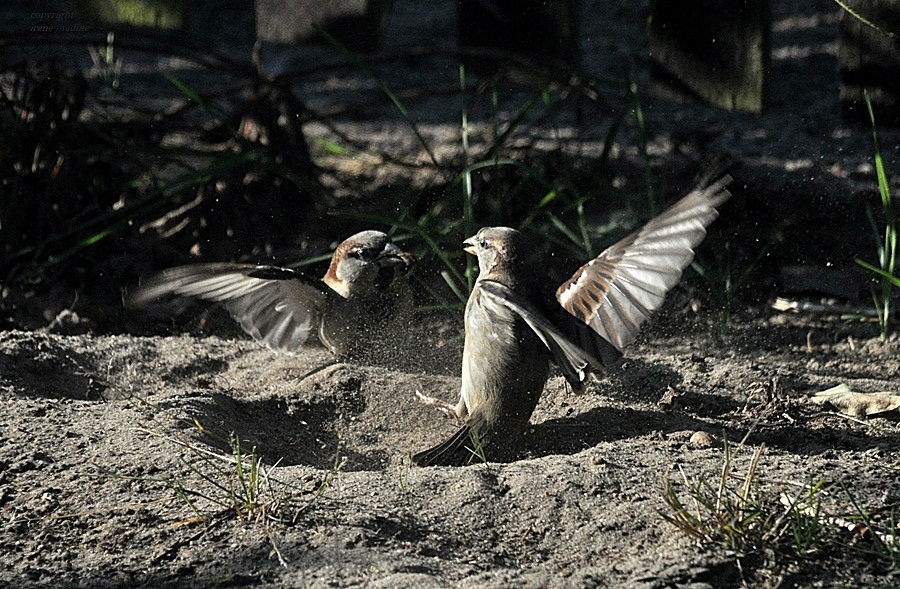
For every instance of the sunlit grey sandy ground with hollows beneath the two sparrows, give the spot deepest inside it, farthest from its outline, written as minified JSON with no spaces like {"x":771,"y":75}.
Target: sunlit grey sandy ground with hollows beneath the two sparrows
{"x":106,"y":469}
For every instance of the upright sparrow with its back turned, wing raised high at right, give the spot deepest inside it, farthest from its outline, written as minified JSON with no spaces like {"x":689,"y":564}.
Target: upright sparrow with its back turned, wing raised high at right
{"x":514,"y":329}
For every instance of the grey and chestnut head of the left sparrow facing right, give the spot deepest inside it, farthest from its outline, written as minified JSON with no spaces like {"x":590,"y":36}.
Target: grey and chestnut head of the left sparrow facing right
{"x":365,"y":263}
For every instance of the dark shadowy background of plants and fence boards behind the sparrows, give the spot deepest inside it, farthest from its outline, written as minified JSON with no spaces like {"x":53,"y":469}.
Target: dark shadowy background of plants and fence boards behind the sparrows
{"x":139,"y":136}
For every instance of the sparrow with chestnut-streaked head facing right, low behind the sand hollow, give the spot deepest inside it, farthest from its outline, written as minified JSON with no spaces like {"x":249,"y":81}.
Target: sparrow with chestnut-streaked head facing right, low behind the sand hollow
{"x":285,"y":309}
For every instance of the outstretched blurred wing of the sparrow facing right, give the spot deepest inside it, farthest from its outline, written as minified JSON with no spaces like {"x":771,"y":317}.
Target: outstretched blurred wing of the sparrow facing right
{"x":280,"y":308}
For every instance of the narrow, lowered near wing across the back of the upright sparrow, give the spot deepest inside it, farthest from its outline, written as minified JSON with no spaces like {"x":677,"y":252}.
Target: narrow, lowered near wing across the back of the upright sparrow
{"x":574,"y":362}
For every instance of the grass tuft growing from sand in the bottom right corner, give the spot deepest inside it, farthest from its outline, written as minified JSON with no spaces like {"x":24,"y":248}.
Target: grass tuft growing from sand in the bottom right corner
{"x":737,"y":514}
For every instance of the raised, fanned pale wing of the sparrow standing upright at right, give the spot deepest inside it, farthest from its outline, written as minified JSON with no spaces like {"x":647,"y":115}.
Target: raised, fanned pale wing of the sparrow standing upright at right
{"x":618,"y":290}
